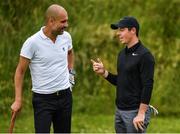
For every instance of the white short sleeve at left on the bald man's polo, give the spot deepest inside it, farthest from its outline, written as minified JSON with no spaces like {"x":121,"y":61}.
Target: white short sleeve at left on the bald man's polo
{"x":27,"y":49}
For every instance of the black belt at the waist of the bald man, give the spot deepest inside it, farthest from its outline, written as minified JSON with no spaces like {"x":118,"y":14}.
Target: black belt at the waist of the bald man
{"x":58,"y":93}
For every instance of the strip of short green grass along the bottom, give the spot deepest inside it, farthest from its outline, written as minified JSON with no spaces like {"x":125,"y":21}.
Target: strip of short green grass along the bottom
{"x":83,"y":123}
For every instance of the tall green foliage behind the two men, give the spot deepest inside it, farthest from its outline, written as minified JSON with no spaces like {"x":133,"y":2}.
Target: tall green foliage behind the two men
{"x":89,"y":25}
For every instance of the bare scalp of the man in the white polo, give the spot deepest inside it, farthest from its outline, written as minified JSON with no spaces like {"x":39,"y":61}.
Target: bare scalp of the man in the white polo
{"x":54,"y":11}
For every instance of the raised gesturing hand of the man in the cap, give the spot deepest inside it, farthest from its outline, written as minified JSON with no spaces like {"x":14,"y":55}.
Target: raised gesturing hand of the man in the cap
{"x":98,"y":67}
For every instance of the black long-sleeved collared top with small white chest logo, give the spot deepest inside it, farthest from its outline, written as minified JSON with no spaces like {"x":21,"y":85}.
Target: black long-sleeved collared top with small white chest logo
{"x":134,"y":79}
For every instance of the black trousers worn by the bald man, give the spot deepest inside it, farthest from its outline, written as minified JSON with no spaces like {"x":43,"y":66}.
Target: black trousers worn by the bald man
{"x":53,"y":108}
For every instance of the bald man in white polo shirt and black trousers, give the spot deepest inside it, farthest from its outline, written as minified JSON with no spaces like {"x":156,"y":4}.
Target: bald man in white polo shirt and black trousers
{"x":49,"y":55}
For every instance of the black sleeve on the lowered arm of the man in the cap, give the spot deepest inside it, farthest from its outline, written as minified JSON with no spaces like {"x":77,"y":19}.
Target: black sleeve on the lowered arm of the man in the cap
{"x":147,"y":74}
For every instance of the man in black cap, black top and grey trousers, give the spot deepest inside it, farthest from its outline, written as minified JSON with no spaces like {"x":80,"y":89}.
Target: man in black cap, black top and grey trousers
{"x":133,"y":81}
